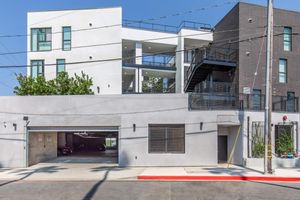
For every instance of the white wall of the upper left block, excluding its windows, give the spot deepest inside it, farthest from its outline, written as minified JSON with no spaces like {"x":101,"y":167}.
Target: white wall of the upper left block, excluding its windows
{"x":106,"y":75}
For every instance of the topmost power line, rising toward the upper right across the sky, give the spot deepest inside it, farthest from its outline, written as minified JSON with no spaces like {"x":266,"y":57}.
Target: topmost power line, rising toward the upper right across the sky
{"x":138,"y":21}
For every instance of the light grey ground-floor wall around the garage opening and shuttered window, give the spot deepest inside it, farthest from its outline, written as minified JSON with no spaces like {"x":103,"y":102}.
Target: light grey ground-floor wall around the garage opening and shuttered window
{"x":122,"y":111}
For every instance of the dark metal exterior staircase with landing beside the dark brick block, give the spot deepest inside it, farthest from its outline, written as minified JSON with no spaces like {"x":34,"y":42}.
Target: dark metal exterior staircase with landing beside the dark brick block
{"x":207,"y":60}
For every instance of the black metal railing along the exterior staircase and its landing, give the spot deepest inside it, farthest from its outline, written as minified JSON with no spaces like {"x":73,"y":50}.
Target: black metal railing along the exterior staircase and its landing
{"x":211,"y":54}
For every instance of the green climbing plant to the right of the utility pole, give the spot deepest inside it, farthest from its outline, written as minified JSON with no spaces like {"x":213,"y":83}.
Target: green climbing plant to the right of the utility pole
{"x":284,"y":143}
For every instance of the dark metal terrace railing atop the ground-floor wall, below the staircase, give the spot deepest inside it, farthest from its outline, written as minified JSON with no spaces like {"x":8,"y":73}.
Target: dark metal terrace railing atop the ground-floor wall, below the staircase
{"x":251,"y":102}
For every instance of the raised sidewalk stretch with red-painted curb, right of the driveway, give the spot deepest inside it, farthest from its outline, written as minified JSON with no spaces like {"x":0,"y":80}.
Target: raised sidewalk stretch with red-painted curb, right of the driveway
{"x":220,"y":173}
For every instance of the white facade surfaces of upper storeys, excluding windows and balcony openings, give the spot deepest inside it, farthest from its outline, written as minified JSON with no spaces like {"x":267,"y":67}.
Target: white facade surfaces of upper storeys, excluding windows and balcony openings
{"x":98,"y":34}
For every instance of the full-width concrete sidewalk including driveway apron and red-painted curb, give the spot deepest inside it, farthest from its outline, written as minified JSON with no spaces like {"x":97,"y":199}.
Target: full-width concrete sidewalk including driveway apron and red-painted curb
{"x":94,"y":171}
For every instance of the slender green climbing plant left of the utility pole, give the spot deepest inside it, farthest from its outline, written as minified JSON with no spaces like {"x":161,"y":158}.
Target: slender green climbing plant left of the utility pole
{"x":258,"y":146}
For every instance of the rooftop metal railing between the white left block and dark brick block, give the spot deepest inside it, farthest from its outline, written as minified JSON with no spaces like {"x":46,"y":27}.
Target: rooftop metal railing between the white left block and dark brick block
{"x":166,"y":28}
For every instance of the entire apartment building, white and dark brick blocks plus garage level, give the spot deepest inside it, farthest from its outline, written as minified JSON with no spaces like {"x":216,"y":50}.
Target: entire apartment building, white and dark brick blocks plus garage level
{"x":219,"y":119}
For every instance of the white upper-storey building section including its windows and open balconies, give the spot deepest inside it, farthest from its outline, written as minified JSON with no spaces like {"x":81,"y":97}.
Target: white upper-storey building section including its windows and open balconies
{"x":119,"y":55}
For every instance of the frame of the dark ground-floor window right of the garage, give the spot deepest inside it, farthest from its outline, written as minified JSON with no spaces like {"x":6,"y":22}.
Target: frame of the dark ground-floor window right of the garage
{"x":166,"y":127}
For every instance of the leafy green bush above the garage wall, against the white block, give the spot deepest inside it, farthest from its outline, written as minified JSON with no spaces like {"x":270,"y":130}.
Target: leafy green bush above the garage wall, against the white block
{"x":61,"y":85}
